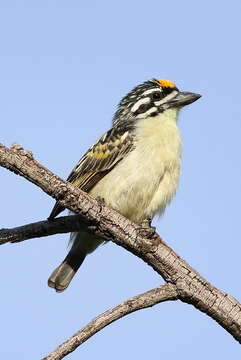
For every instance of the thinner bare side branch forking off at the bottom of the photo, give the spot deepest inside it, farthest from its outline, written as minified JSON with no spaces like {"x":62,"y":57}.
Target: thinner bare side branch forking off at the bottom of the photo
{"x":142,"y":301}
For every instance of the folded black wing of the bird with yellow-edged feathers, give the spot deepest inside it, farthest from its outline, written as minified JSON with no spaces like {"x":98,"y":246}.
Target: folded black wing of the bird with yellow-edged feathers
{"x":100,"y":159}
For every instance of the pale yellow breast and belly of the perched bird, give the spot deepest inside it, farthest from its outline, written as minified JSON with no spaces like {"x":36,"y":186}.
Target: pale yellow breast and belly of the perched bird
{"x":145,"y":181}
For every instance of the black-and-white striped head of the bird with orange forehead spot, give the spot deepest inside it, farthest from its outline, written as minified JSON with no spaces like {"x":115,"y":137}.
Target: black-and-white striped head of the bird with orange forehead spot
{"x":150,"y":99}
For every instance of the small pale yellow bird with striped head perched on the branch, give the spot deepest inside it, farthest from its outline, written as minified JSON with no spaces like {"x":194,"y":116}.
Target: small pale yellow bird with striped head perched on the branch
{"x":134,"y":167}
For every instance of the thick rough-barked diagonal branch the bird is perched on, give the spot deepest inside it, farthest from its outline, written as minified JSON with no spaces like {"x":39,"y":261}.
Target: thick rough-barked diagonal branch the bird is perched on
{"x":145,"y":243}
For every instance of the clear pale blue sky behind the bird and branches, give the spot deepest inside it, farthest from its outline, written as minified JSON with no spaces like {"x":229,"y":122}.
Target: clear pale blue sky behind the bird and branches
{"x":64,"y":65}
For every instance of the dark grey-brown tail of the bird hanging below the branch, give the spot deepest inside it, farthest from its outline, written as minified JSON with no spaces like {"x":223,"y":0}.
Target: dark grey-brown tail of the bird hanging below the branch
{"x":64,"y":273}
